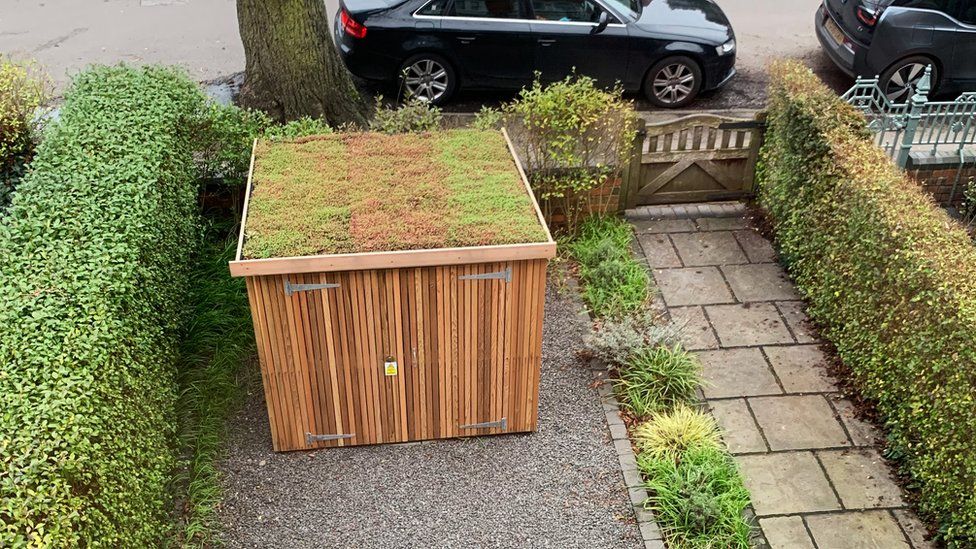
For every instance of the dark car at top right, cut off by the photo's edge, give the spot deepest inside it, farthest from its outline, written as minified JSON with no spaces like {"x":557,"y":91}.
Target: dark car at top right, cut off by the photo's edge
{"x":896,"y":39}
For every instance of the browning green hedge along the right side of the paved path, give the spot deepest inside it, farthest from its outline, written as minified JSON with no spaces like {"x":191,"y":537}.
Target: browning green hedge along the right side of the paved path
{"x":890,"y":277}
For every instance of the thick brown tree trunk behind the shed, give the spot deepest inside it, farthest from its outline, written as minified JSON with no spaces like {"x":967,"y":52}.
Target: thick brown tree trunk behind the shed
{"x":293,"y":68}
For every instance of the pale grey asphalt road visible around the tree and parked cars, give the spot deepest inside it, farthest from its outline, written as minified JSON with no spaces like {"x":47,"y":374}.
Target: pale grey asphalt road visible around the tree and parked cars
{"x":202,"y":35}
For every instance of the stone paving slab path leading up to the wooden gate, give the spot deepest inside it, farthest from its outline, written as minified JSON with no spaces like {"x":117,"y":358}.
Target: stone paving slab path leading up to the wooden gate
{"x":813,"y":469}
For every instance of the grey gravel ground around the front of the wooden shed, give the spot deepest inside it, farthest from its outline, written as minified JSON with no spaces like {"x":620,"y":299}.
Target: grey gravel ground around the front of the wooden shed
{"x":558,"y":487}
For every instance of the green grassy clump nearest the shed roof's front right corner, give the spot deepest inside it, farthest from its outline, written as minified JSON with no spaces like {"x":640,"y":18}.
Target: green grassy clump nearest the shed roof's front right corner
{"x":613,"y":282}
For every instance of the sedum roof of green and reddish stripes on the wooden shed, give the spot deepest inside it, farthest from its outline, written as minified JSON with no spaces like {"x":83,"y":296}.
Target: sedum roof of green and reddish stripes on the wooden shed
{"x":371,"y":192}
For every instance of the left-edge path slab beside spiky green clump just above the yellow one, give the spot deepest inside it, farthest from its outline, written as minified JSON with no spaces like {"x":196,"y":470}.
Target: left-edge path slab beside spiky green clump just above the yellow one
{"x":737,"y":372}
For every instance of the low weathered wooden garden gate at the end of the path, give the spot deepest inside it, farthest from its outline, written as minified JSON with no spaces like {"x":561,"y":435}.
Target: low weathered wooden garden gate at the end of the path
{"x":695,"y":158}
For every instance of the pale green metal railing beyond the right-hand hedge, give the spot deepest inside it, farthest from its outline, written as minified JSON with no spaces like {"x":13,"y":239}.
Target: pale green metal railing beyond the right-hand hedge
{"x":919,"y":124}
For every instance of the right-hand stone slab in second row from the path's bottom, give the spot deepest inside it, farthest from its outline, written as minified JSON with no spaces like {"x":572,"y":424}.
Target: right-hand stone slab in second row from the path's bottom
{"x":862,"y":478}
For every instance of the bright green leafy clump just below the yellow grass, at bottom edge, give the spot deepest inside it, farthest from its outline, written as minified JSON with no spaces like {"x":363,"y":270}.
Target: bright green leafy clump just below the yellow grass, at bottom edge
{"x":698,"y":499}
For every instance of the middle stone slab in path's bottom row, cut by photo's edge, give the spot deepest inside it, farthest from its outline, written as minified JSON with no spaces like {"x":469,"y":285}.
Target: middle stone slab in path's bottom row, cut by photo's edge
{"x":857,"y":530}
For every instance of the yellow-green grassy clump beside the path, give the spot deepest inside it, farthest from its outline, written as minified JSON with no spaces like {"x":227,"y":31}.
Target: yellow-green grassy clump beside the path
{"x":667,"y":435}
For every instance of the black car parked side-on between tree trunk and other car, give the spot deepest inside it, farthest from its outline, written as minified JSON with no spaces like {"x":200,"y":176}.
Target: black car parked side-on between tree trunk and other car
{"x":670,"y":49}
